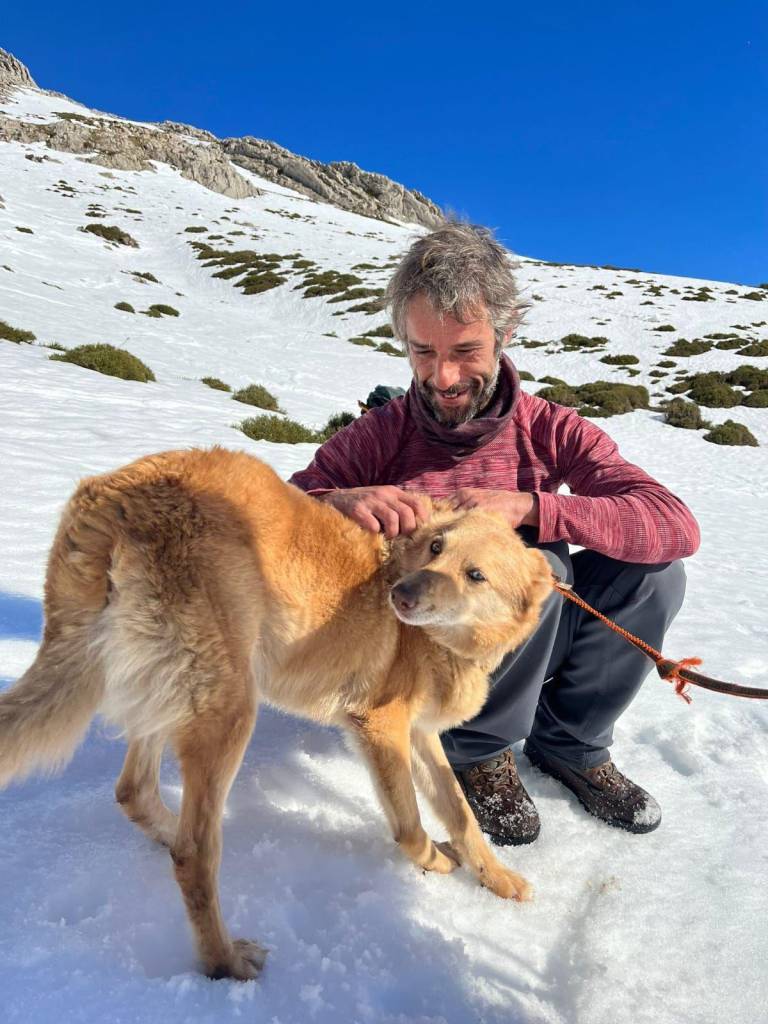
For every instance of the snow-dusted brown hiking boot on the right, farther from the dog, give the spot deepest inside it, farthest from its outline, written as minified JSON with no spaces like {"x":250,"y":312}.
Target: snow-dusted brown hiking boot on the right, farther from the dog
{"x":604,"y":791}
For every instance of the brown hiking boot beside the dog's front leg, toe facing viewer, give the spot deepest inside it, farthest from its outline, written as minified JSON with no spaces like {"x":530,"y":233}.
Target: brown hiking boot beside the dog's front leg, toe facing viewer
{"x":498,"y":798}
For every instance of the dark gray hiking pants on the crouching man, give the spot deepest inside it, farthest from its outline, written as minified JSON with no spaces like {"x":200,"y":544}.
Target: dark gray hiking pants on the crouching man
{"x":572,"y":679}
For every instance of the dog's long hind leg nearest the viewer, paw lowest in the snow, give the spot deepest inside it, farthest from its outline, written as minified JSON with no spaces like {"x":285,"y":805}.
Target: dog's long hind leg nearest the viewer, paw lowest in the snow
{"x":210,"y":750}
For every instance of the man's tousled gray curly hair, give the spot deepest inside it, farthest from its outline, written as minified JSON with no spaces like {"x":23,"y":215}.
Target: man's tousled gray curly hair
{"x":460,"y":269}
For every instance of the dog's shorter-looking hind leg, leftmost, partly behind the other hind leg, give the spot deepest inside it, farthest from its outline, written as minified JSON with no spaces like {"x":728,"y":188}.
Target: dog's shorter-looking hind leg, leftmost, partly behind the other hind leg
{"x":138,"y":791}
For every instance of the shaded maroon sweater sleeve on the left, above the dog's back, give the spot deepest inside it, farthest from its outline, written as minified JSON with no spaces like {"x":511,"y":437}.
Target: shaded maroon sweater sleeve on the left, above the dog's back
{"x":355,"y":457}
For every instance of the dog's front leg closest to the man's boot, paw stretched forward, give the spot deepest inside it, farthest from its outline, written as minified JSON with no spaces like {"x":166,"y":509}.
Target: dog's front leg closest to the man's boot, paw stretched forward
{"x":445,"y":794}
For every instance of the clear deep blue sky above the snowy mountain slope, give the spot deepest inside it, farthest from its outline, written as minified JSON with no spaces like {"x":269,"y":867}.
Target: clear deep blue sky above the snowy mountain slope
{"x":624,"y":134}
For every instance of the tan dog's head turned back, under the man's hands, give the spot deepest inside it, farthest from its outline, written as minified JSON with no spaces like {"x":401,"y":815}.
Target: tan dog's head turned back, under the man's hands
{"x":468,"y":578}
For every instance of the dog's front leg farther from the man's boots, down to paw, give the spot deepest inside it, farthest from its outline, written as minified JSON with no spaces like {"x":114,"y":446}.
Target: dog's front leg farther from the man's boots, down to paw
{"x":385,"y":735}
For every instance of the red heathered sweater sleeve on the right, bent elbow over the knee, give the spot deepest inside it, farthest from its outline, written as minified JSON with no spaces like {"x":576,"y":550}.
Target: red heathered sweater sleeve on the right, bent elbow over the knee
{"x":615,"y":507}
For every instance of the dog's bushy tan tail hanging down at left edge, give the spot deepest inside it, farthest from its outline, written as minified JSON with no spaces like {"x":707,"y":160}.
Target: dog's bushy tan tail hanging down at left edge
{"x":46,"y":715}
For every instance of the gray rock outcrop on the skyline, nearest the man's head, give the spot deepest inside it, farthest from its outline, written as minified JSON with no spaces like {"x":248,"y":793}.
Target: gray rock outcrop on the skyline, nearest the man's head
{"x":343,"y":185}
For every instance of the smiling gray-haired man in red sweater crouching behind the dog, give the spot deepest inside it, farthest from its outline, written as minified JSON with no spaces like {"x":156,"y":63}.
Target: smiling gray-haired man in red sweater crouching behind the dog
{"x":466,"y":432}
